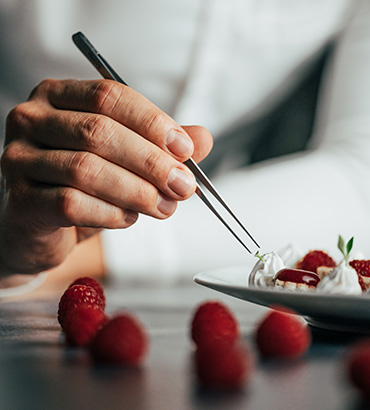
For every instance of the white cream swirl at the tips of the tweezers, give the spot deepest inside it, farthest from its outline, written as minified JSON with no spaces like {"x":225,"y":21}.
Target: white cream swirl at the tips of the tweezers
{"x":264,"y":271}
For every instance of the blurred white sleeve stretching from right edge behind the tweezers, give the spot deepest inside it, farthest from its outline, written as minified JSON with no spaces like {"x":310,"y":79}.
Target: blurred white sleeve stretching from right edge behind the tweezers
{"x":305,"y":199}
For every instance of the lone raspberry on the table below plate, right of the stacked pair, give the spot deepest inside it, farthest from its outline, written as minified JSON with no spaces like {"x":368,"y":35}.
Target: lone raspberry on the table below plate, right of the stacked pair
{"x":282,"y":333}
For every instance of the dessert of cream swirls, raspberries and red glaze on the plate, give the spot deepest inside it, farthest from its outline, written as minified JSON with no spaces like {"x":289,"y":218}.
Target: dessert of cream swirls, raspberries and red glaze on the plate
{"x":315,"y":271}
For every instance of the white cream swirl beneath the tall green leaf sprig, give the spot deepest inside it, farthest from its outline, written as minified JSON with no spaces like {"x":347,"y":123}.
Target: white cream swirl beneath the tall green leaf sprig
{"x":342,"y":280}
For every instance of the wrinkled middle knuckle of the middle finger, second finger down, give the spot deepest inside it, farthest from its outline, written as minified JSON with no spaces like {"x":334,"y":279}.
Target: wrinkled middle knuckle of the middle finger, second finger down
{"x":96,"y":131}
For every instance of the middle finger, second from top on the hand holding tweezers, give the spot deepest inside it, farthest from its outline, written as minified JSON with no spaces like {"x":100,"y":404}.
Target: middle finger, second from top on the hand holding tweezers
{"x":115,"y":143}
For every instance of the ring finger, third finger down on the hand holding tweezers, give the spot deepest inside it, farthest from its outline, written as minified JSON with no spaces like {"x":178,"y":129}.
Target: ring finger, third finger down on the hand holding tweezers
{"x":89,"y":174}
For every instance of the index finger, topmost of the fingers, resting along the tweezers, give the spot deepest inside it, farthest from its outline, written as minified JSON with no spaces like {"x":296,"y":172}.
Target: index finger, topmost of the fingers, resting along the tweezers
{"x":122,"y":104}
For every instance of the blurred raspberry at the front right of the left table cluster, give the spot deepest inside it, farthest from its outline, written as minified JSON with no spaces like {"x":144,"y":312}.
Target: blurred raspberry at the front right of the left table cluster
{"x":121,"y":340}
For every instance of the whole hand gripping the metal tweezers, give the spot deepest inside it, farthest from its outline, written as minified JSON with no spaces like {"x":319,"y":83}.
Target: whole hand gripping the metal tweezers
{"x":81,"y":156}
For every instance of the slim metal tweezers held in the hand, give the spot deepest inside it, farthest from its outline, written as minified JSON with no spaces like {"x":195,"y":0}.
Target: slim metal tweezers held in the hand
{"x":107,"y":72}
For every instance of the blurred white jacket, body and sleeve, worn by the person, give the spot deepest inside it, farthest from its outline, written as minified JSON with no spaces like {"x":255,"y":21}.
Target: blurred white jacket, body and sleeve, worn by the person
{"x":214,"y":63}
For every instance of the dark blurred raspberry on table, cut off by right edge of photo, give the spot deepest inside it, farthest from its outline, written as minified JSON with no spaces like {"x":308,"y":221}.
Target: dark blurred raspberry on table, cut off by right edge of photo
{"x":358,"y":366}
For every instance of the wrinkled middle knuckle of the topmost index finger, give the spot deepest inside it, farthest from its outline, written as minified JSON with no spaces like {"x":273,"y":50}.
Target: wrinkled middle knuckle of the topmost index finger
{"x":105,"y":94}
